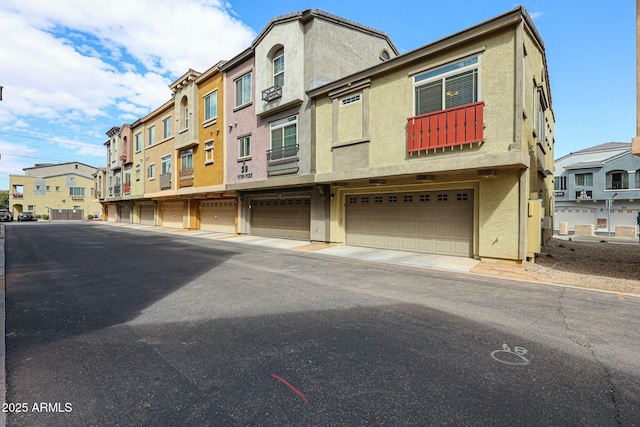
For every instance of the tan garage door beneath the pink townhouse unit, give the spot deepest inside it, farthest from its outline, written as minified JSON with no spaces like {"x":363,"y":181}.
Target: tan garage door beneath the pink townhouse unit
{"x":282,"y":218}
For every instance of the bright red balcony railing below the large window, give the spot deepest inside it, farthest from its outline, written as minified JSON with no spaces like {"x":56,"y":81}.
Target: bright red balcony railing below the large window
{"x":447,"y":128}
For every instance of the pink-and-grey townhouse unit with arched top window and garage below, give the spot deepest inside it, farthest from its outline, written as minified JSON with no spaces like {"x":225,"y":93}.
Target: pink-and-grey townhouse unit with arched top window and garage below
{"x":270,"y":156}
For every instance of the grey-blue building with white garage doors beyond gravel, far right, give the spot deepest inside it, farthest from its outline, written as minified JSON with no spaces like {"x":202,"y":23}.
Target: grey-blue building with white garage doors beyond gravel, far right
{"x":598,"y":186}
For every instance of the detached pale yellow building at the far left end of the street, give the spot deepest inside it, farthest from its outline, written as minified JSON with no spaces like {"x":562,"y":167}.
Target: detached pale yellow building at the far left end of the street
{"x":62,"y":191}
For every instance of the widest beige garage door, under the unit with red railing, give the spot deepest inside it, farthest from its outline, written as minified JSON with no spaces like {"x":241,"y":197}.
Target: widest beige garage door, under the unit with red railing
{"x":438,"y":222}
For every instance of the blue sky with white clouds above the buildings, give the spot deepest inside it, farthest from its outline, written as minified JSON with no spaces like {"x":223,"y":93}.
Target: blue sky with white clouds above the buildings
{"x":73,"y":69}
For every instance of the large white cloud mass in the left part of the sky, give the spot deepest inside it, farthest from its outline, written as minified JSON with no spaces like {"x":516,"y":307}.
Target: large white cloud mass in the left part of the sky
{"x":85,"y":66}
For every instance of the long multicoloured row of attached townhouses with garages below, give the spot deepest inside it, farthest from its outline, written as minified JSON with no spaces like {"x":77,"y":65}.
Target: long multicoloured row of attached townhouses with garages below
{"x":321,"y":131}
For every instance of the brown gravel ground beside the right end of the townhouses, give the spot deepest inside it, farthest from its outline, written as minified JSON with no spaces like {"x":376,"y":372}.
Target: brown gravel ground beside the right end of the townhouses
{"x":597,"y":264}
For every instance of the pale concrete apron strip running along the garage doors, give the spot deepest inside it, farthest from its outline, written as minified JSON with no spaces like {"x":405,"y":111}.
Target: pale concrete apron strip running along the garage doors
{"x":412,"y":259}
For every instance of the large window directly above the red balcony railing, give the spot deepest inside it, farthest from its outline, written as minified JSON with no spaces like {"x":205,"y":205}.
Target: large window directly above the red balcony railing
{"x":446,"y":87}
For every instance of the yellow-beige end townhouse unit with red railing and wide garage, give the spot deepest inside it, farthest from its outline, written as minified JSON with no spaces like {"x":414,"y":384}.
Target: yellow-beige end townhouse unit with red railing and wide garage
{"x":446,"y":149}
